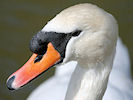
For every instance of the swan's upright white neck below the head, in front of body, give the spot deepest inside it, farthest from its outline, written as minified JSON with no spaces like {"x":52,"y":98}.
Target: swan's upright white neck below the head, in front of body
{"x":88,"y":83}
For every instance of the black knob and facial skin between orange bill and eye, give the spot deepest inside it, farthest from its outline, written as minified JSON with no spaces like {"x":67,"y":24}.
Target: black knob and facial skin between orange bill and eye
{"x":39,"y":42}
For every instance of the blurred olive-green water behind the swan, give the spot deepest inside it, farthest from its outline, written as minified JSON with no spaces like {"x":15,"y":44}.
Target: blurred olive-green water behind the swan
{"x":21,"y":19}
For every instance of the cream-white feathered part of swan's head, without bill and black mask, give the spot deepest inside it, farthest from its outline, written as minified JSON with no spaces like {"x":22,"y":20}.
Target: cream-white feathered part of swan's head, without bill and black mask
{"x":97,"y":37}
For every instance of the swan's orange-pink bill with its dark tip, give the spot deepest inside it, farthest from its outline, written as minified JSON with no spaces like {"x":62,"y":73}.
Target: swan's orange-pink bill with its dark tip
{"x":30,"y":69}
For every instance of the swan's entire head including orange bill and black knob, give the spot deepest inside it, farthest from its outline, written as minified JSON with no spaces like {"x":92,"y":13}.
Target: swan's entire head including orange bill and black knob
{"x":84,"y":33}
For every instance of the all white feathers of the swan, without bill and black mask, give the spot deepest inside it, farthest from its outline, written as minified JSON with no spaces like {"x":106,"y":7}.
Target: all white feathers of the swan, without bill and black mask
{"x":95,"y":57}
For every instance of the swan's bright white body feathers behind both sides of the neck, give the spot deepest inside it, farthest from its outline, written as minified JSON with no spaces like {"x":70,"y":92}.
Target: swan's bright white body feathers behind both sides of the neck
{"x":120,"y":86}
